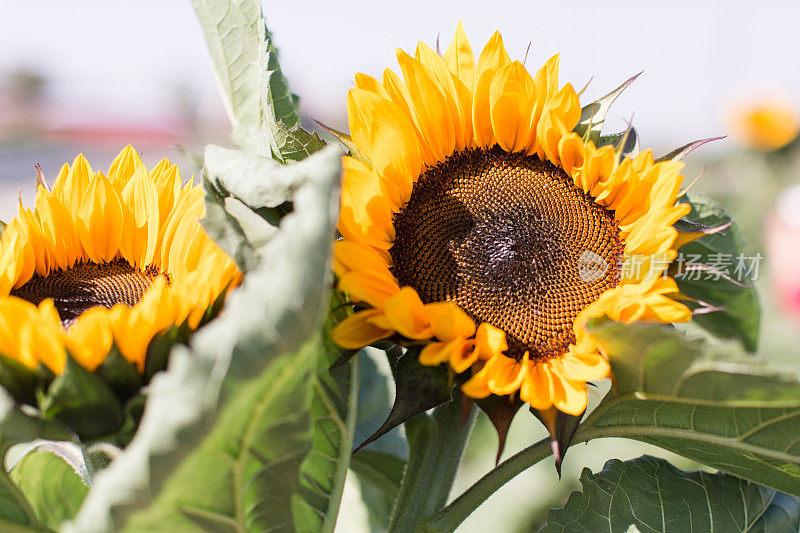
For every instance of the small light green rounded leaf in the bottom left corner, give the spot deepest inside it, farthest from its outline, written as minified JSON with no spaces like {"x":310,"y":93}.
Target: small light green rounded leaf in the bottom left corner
{"x":53,"y":489}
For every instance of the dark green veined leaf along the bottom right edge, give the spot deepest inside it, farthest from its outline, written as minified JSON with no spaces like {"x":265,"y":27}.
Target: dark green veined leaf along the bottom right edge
{"x":652,"y":495}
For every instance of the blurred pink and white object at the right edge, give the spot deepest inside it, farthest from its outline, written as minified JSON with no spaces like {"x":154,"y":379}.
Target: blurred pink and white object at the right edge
{"x":783,"y":246}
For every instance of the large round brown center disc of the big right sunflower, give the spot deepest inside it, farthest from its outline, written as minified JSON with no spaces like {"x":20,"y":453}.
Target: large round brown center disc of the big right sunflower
{"x":512,"y":241}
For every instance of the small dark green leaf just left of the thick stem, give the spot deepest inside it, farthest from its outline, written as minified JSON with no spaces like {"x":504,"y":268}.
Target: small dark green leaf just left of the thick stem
{"x":379,"y":475}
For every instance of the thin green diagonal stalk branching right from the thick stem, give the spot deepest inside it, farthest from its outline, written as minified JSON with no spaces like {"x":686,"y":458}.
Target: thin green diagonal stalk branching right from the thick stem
{"x":449,"y":518}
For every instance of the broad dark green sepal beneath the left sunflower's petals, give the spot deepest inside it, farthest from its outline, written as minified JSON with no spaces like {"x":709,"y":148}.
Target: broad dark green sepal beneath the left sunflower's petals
{"x":83,"y":401}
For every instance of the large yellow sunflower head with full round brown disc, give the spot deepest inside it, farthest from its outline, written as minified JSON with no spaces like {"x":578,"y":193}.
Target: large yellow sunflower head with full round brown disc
{"x":478,"y":223}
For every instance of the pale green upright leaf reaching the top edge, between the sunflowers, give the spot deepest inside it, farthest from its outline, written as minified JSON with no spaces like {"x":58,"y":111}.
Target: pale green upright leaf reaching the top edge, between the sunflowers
{"x":260,"y":106}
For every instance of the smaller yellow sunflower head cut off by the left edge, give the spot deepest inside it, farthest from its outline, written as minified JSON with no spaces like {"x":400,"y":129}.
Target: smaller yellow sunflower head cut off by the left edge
{"x":106,"y":261}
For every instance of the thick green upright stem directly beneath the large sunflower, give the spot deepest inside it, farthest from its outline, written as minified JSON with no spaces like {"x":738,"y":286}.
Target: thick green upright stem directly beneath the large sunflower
{"x":435,"y":445}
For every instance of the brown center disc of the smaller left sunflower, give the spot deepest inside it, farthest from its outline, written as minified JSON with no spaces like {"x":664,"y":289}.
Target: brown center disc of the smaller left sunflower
{"x":88,"y":285}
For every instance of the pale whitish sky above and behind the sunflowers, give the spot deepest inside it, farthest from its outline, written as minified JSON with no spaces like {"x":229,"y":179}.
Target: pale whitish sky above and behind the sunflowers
{"x":698,"y":58}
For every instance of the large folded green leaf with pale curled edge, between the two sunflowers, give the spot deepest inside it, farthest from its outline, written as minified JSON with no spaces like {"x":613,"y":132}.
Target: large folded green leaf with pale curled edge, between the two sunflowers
{"x":230,"y":437}
